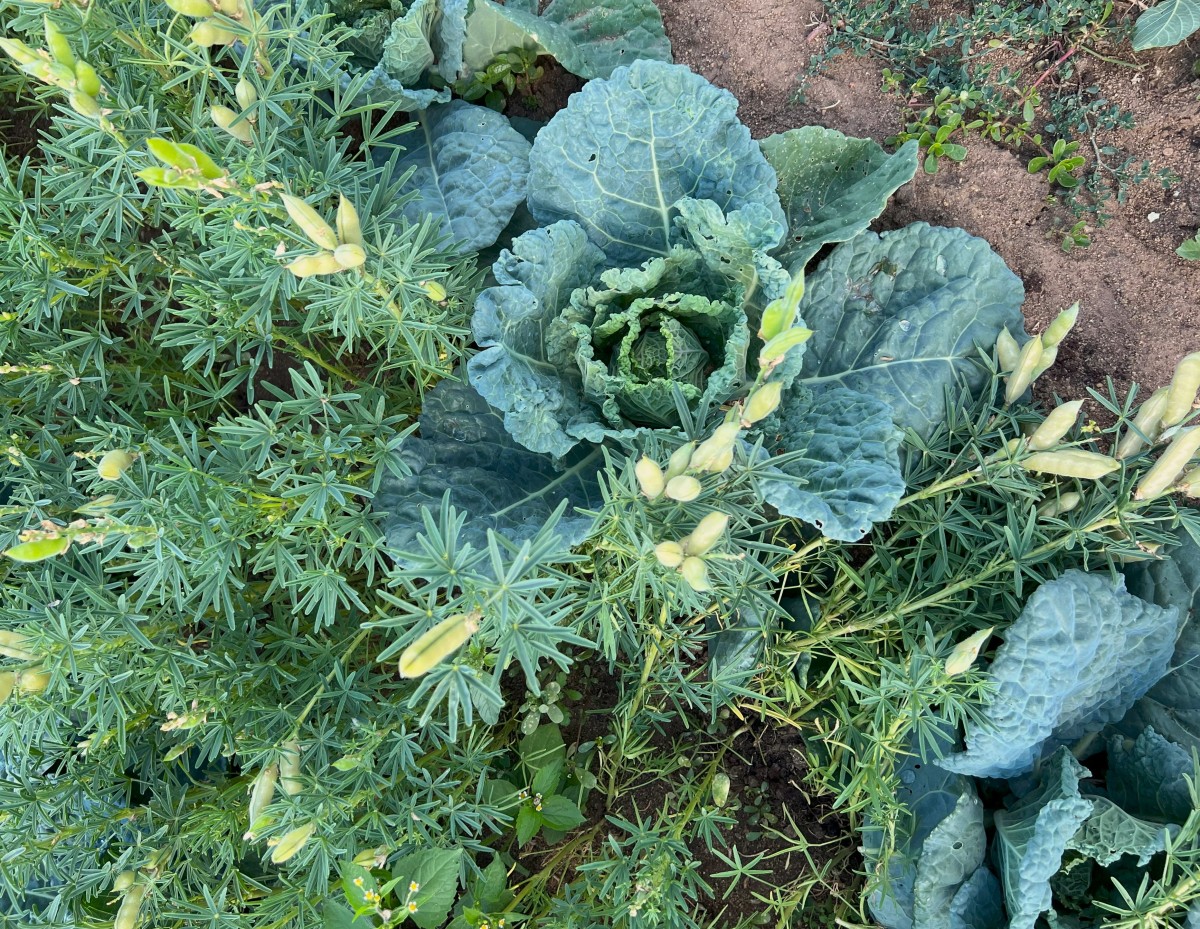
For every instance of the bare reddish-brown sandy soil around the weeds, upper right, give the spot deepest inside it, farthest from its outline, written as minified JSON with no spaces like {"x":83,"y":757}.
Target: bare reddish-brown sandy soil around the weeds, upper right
{"x":1139,"y":303}
